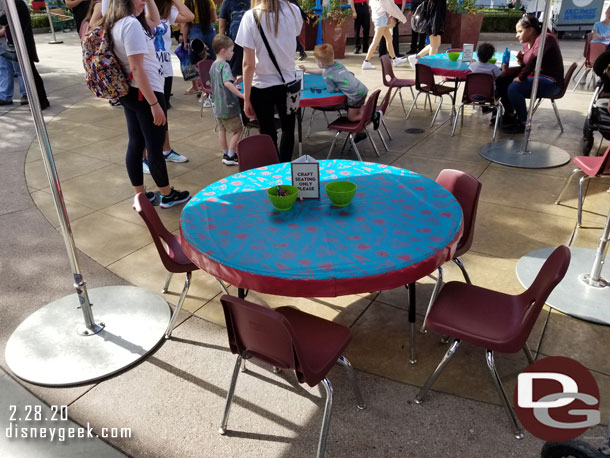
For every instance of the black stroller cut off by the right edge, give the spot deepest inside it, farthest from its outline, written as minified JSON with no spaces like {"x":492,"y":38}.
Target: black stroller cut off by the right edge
{"x":598,"y":116}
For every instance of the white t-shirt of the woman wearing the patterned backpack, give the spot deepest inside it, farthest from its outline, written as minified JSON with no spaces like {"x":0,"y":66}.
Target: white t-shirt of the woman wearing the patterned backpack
{"x":129,"y":38}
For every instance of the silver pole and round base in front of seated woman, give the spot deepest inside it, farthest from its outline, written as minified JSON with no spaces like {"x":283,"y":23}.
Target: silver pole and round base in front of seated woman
{"x":526,"y":154}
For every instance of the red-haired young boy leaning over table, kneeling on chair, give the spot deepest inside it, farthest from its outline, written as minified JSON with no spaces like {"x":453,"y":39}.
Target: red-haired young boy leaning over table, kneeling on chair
{"x":339,"y":79}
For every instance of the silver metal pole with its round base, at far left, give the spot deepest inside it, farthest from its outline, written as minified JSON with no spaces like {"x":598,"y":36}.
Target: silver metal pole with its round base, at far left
{"x":52,"y":346}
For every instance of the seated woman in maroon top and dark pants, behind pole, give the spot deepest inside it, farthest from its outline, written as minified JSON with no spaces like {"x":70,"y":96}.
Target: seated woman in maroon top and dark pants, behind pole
{"x":514,"y":90}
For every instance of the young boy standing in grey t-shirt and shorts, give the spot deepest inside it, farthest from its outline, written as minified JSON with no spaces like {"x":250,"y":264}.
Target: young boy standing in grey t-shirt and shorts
{"x":225,"y":96}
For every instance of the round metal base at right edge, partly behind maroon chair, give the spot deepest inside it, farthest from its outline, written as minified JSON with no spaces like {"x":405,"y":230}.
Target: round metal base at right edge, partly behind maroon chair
{"x":572,"y":296}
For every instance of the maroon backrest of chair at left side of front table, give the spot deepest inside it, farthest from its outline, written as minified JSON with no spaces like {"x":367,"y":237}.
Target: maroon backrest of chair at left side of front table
{"x":168,"y":245}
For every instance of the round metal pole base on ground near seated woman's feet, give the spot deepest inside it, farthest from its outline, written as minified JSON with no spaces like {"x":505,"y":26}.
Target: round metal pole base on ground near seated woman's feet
{"x":540,"y":155}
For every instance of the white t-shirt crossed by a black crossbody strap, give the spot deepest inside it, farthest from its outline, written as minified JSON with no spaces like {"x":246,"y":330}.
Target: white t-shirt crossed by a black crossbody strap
{"x":283,"y":45}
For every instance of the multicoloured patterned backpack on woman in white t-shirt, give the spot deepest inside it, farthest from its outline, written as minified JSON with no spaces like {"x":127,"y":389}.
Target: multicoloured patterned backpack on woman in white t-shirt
{"x":103,"y":73}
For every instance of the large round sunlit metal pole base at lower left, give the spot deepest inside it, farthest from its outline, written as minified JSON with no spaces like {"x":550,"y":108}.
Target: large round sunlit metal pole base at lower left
{"x":47,"y":349}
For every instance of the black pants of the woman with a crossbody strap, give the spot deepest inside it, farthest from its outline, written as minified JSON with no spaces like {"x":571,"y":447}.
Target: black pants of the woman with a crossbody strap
{"x":265,"y":103}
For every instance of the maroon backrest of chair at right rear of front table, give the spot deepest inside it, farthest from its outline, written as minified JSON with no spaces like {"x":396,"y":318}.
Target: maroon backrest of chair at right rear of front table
{"x":466,"y":189}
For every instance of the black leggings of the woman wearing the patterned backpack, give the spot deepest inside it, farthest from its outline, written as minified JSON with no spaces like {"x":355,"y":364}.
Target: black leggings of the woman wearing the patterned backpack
{"x":144,"y":134}
